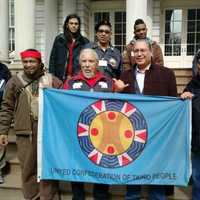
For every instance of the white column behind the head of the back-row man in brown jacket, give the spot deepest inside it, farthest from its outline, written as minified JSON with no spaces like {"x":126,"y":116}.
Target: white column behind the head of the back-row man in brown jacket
{"x":134,"y":9}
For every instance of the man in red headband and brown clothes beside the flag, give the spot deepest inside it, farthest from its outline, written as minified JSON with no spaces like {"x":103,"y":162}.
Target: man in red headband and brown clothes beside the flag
{"x":20,"y":104}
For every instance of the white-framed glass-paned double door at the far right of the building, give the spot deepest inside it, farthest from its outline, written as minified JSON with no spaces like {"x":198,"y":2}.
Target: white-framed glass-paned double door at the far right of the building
{"x":181,"y":36}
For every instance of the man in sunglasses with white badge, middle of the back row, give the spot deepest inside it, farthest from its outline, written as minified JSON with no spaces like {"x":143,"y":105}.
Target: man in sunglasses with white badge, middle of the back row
{"x":110,"y":60}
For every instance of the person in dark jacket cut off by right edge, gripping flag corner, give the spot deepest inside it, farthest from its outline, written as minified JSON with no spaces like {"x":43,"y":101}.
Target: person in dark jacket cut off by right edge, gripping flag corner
{"x":192,"y":91}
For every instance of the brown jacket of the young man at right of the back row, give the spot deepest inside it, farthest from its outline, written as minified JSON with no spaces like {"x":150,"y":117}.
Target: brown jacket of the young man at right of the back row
{"x":128,"y":55}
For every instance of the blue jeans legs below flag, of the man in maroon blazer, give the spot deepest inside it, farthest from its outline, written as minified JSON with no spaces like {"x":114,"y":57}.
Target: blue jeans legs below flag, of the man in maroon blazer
{"x":156,"y":192}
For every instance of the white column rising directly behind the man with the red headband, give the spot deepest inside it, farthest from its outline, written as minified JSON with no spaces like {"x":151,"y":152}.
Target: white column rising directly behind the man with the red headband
{"x":24,"y":26}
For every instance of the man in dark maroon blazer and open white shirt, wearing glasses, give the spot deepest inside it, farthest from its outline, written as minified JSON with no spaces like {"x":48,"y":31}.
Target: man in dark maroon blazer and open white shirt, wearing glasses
{"x":146,"y":78}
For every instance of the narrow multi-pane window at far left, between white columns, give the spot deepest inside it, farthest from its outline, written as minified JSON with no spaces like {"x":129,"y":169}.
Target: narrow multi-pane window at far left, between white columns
{"x":11,"y":24}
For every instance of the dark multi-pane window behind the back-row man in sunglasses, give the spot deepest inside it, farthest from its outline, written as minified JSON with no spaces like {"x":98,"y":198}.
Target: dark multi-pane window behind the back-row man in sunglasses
{"x":118,"y":21}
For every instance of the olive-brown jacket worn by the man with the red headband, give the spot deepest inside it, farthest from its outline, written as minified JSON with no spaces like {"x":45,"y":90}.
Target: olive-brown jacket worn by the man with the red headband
{"x":16,"y":107}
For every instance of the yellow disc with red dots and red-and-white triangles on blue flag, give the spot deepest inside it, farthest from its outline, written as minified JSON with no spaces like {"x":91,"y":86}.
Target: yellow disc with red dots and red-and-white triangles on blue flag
{"x":112,"y":133}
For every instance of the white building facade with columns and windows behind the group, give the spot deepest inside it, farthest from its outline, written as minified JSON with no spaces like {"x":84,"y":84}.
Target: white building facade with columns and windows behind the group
{"x":174,"y":24}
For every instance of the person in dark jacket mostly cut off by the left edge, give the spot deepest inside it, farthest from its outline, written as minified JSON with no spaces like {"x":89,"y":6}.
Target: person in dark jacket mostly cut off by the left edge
{"x":4,"y":76}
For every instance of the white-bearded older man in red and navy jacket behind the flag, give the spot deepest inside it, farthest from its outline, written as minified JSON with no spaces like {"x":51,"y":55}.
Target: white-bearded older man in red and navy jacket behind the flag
{"x":90,"y":79}
